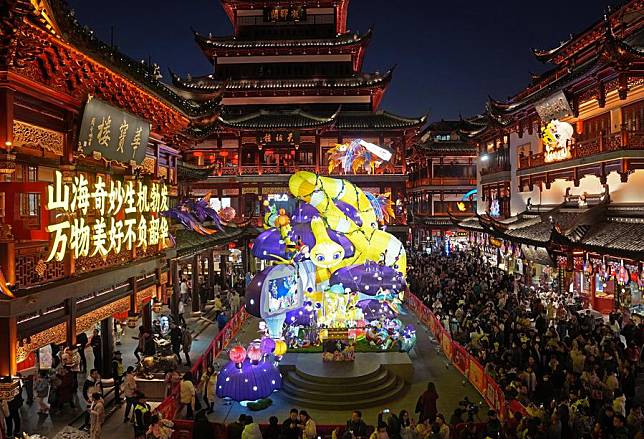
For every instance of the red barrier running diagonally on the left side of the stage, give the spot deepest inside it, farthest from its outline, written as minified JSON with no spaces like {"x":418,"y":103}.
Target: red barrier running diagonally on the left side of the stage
{"x":168,"y":407}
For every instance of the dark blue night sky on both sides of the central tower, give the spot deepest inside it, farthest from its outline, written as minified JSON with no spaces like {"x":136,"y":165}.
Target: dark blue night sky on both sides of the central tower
{"x":450,"y":54}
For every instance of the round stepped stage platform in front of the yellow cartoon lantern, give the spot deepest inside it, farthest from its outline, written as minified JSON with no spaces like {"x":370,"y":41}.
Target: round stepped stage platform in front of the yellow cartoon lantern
{"x":370,"y":380}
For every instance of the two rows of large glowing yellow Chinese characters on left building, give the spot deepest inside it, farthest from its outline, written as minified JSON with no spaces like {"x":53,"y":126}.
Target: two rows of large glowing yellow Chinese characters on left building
{"x":105,"y":217}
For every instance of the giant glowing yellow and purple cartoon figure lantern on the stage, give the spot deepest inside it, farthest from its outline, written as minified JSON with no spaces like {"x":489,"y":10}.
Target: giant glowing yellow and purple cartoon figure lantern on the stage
{"x":330,"y":257}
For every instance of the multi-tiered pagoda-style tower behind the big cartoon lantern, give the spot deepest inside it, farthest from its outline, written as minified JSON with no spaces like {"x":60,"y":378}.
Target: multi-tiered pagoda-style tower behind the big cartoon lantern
{"x":292,"y":87}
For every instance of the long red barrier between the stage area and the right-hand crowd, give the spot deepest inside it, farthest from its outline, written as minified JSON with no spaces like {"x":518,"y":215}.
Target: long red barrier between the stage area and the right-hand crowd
{"x":462,"y":360}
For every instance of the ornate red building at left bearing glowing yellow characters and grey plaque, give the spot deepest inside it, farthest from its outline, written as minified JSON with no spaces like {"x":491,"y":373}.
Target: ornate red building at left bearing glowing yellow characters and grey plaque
{"x":89,"y":145}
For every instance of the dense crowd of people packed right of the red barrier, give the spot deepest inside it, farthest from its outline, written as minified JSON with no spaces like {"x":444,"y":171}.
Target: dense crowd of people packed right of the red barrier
{"x":573,"y":372}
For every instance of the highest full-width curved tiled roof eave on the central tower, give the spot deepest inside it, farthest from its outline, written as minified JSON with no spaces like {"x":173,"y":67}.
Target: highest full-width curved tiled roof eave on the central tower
{"x":230,"y":42}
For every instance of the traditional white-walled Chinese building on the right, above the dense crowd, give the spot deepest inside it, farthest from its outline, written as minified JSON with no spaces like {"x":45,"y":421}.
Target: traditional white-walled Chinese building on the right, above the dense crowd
{"x":562,"y":167}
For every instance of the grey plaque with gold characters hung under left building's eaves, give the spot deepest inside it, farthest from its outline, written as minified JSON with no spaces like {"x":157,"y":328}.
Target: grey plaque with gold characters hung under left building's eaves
{"x":116,"y":134}
